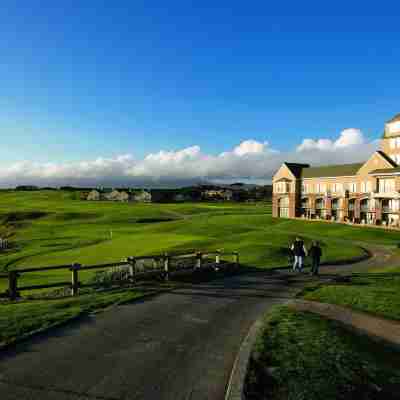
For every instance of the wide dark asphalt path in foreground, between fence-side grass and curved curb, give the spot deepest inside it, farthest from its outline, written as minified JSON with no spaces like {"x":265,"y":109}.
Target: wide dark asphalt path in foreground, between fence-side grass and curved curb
{"x":178,"y":345}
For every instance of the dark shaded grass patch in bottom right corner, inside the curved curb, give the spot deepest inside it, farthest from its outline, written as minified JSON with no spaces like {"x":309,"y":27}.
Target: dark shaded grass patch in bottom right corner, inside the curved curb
{"x":301,"y":356}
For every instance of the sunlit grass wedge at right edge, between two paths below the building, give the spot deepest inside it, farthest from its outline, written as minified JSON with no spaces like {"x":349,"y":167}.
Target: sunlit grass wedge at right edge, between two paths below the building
{"x":373,"y":292}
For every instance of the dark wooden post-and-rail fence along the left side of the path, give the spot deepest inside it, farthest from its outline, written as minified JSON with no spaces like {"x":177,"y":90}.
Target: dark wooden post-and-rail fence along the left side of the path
{"x":130,"y":266}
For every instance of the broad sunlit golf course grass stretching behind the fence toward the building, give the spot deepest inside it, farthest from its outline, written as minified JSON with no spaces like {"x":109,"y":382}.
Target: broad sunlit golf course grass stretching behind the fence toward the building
{"x":53,"y":228}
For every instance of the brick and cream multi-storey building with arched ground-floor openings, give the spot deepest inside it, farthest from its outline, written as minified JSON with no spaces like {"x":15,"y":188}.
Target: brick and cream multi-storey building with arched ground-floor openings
{"x":366,"y":193}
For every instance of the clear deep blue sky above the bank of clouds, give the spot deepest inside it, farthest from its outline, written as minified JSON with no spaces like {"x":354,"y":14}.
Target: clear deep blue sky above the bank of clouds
{"x":104,"y":79}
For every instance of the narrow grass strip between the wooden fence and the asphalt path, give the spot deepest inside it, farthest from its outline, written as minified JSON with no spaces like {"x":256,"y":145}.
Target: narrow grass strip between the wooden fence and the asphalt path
{"x":20,"y":319}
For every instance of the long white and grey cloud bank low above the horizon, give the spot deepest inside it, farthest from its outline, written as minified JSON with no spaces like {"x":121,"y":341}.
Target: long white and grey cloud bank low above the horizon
{"x":249,"y":160}
